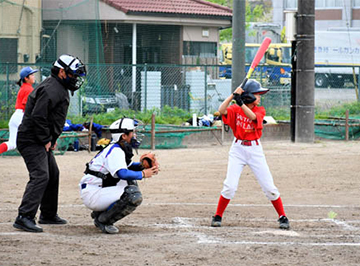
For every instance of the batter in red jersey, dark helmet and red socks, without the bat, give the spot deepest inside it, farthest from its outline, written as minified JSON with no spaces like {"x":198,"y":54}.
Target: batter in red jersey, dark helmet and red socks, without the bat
{"x":246,"y":121}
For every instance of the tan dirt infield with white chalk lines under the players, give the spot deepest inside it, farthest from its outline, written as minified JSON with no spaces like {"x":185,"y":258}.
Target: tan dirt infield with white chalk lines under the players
{"x":319,"y":184}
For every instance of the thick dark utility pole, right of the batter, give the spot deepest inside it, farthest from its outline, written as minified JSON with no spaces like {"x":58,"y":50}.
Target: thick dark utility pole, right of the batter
{"x":303,"y":91}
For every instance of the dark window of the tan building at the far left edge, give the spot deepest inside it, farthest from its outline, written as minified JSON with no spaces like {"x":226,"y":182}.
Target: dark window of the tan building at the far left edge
{"x":8,"y":48}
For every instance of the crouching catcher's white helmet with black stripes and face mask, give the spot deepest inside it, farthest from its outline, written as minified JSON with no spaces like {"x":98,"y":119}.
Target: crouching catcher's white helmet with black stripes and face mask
{"x":125,"y":126}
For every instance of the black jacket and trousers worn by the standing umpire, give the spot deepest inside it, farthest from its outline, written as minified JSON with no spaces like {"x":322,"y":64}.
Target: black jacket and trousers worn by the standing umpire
{"x":43,"y":121}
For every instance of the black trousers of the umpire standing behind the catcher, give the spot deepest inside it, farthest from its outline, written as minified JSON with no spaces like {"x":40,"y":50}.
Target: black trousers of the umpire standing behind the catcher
{"x":43,"y":186}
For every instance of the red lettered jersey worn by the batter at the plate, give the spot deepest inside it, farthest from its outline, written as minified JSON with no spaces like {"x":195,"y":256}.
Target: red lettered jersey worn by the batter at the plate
{"x":243,"y":128}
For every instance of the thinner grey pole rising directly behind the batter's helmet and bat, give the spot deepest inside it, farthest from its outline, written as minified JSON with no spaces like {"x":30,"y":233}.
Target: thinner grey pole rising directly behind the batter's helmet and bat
{"x":238,"y":43}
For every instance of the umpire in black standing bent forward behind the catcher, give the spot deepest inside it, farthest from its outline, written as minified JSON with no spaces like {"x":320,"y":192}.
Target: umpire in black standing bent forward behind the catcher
{"x":43,"y":121}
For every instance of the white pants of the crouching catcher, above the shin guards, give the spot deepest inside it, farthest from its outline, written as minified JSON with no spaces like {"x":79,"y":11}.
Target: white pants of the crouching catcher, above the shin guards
{"x":98,"y":198}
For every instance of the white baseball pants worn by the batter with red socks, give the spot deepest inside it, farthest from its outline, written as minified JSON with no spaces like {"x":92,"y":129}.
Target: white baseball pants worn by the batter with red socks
{"x":253,"y":156}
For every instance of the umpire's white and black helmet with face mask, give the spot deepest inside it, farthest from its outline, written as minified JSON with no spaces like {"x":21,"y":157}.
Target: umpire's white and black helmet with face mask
{"x":72,"y":65}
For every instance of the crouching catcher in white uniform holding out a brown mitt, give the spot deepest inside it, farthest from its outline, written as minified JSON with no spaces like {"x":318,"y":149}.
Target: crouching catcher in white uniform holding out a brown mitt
{"x":109,"y":186}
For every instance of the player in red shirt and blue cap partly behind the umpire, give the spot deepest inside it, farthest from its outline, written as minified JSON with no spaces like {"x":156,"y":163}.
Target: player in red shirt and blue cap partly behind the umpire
{"x":27,"y":79}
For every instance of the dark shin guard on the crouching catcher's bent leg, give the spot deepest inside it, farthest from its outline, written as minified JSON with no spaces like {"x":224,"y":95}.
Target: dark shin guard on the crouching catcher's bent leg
{"x":129,"y":200}
